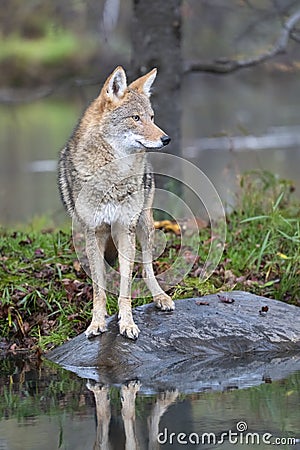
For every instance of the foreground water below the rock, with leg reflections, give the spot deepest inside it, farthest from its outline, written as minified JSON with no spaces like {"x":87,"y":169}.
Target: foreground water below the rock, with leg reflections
{"x":44,"y":407}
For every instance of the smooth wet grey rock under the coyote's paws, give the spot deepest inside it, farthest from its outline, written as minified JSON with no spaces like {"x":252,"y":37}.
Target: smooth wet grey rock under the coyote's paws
{"x":214,"y":342}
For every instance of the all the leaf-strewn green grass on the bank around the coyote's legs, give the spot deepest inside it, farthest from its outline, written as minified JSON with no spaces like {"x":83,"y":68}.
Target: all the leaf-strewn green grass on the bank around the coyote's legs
{"x":46,"y":298}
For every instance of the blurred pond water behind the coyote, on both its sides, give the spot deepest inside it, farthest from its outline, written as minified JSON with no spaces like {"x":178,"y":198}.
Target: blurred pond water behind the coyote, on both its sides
{"x":230,"y":124}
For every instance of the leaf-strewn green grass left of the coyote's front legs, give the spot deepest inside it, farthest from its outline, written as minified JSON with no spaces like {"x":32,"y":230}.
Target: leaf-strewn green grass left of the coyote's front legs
{"x":36,"y":267}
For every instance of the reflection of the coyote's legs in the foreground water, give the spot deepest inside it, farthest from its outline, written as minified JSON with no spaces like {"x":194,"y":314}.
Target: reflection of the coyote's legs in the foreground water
{"x":128,"y":396}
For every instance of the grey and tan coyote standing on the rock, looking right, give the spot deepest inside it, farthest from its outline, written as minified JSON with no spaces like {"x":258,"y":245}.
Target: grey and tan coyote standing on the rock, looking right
{"x":106,"y":182}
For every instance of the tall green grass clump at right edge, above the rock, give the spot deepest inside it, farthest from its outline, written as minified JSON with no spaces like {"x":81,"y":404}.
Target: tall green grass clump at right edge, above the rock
{"x":264,"y":237}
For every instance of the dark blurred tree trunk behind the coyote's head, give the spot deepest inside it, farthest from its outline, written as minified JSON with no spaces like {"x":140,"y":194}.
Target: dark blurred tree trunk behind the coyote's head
{"x":156,"y":42}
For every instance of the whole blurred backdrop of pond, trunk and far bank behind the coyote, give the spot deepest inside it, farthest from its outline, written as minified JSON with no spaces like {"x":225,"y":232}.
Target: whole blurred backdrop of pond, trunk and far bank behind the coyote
{"x":227,"y":91}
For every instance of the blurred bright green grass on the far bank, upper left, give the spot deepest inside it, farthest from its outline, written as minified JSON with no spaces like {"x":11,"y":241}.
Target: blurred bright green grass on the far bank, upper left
{"x":53,"y":56}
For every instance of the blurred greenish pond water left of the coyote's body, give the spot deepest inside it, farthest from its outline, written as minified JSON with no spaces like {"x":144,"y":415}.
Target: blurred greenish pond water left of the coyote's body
{"x":32,"y":132}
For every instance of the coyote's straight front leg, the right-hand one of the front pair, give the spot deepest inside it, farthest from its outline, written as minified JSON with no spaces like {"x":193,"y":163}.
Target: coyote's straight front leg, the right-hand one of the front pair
{"x":126,"y":250}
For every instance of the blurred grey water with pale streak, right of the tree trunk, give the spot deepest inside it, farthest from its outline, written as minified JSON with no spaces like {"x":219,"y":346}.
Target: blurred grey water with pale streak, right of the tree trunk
{"x":251,"y":121}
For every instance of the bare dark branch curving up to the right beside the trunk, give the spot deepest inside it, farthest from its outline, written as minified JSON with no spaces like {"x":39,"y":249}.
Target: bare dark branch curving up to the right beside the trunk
{"x":226,"y":65}
